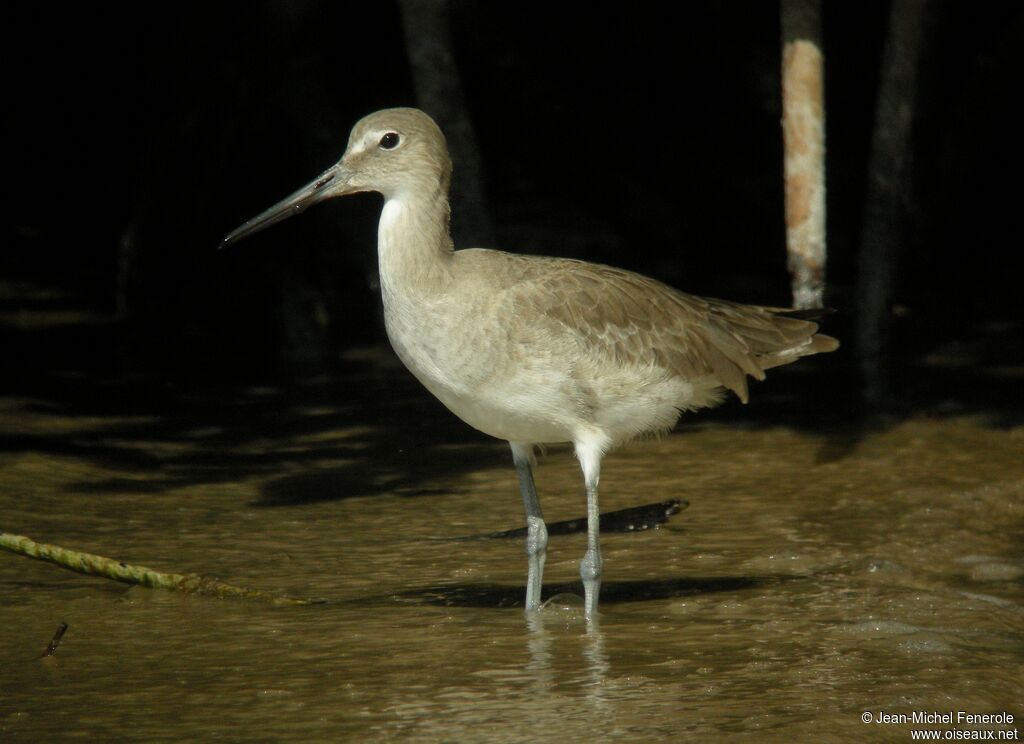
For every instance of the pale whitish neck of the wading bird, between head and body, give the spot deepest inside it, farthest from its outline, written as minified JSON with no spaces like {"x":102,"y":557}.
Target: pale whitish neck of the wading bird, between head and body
{"x":414,"y":246}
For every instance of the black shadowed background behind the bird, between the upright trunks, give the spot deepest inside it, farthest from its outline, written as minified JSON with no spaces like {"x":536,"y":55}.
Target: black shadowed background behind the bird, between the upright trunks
{"x":646,"y":137}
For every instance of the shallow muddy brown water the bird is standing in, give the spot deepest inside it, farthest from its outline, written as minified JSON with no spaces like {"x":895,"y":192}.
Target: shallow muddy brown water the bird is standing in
{"x":807,"y":584}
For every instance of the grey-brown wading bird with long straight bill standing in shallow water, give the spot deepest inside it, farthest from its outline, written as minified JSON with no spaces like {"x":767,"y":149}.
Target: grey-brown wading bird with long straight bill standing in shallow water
{"x":539,"y":351}
